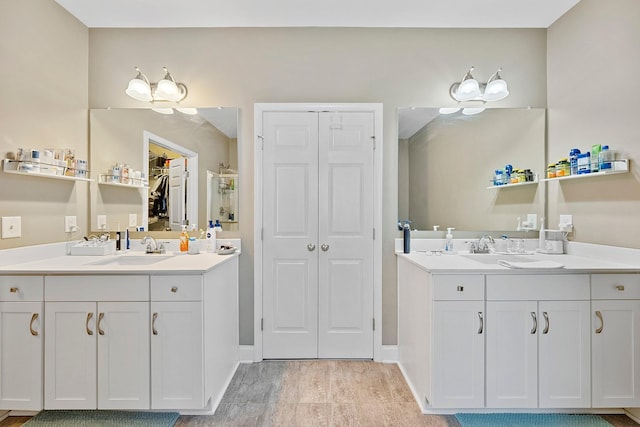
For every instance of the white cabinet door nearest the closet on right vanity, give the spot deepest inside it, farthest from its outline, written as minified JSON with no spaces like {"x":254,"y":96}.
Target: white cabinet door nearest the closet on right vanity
{"x":458,"y":365}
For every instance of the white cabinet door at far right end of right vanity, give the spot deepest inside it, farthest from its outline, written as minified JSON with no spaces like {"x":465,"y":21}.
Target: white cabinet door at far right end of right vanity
{"x":615,"y":341}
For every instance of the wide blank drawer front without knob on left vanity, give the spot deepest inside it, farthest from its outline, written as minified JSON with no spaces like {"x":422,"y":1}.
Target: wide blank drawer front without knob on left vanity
{"x":96,"y":288}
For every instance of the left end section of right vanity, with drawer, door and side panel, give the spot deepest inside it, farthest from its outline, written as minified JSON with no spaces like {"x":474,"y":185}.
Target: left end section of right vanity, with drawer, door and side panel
{"x":441,"y":336}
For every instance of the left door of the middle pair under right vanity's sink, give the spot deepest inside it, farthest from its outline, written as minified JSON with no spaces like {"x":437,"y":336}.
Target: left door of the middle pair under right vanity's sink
{"x":512,"y":354}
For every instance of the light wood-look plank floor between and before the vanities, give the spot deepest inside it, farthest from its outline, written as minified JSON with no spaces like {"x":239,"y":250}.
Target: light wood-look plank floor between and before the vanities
{"x":319,"y":393}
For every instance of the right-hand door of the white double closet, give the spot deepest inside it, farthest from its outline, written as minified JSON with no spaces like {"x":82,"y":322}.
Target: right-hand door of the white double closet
{"x":345,"y":233}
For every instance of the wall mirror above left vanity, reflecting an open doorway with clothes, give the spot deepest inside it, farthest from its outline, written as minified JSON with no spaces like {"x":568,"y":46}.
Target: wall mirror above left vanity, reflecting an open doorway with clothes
{"x":156,"y":172}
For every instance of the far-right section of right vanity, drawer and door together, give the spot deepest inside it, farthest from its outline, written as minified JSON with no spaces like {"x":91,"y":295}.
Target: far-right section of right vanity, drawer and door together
{"x":615,"y":340}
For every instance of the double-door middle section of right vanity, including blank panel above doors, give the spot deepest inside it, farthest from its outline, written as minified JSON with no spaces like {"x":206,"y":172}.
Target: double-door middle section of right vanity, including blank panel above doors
{"x":537,"y":338}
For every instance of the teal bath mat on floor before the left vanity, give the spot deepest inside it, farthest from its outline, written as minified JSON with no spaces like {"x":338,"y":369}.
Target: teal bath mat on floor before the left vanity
{"x":102,"y":419}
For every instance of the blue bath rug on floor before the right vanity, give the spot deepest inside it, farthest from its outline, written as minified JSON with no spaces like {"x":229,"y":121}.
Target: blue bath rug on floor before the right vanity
{"x":530,"y":420}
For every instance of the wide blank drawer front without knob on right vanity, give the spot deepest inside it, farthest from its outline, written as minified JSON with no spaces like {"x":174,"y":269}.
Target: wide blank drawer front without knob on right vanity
{"x":549,"y":287}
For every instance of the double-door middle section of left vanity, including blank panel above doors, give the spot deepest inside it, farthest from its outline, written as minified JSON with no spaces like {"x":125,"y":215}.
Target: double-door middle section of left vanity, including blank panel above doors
{"x":97,"y":353}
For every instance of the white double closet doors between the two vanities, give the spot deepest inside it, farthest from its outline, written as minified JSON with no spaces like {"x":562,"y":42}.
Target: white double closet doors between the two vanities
{"x":318,"y":237}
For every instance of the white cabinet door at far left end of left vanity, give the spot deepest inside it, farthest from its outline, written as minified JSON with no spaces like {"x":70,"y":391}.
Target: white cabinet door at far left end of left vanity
{"x":21,"y":356}
